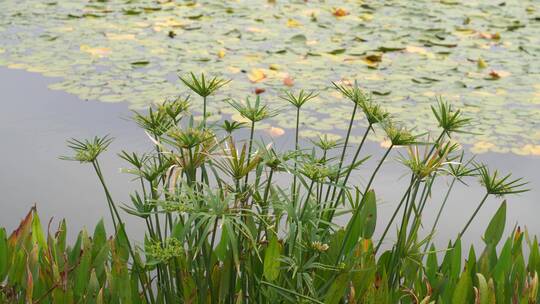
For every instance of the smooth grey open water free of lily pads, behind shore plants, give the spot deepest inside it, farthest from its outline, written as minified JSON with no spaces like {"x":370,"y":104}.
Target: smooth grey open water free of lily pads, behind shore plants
{"x":35,"y":122}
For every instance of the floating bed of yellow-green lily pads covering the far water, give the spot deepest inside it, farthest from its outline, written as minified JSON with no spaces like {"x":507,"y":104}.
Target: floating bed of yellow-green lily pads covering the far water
{"x":480,"y":55}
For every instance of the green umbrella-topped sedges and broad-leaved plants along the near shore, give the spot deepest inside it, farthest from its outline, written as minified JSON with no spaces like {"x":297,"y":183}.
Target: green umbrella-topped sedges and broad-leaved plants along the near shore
{"x":221,"y":230}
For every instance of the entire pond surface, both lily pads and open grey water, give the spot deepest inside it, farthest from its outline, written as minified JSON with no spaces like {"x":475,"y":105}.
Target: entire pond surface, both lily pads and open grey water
{"x":75,"y":69}
